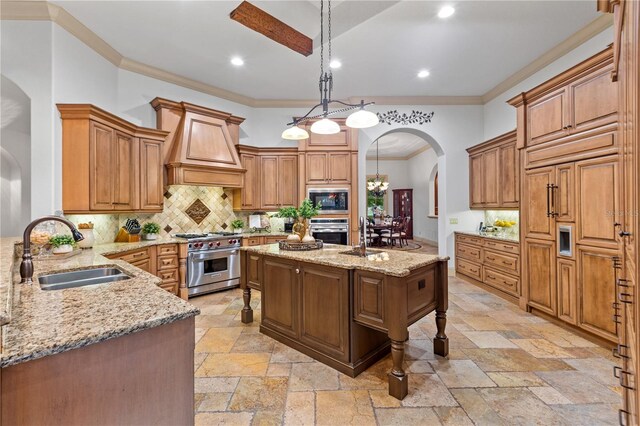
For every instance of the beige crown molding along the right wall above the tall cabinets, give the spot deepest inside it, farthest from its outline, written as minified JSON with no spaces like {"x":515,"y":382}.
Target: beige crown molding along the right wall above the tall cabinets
{"x":592,"y":29}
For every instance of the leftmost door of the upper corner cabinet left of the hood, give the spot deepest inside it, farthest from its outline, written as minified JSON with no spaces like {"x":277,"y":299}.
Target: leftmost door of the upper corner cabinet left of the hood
{"x":101,"y":162}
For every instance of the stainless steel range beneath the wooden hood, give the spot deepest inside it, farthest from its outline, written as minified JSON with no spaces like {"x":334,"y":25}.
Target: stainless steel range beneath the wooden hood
{"x":213,"y":262}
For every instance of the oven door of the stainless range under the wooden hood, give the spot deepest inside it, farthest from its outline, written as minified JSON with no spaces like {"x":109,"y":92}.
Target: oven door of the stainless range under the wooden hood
{"x":213,"y":266}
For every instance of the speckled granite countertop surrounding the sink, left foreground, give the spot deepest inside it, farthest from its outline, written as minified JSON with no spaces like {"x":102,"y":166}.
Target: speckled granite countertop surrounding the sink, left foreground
{"x":42,"y":323}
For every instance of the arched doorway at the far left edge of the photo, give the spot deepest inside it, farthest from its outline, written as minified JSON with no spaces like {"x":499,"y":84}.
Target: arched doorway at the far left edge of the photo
{"x":15,"y":157}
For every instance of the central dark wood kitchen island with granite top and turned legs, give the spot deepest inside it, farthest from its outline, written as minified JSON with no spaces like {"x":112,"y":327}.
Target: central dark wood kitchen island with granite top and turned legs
{"x":343,"y":310}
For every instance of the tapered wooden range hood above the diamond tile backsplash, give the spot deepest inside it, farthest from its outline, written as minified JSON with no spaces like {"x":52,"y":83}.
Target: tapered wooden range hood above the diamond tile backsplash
{"x":201,"y":146}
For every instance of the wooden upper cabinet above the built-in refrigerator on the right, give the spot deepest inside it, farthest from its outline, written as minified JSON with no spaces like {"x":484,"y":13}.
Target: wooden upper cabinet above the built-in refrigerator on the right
{"x":572,"y":116}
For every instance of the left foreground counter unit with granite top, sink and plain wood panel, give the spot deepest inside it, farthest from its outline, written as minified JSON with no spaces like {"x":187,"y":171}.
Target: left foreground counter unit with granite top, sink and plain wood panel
{"x":114,"y":353}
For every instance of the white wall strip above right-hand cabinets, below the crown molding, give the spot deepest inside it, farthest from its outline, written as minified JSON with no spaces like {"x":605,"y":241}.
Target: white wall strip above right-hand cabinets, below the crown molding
{"x":500,"y":117}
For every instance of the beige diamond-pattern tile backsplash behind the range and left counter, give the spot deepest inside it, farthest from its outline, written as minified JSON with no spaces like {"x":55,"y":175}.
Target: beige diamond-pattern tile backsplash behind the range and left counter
{"x":175,"y":218}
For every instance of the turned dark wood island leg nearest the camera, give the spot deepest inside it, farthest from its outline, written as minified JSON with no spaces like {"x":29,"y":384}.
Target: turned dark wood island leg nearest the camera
{"x":398,"y":333}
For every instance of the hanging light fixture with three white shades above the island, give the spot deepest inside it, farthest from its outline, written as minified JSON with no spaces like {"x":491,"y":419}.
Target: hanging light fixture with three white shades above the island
{"x":360,"y":119}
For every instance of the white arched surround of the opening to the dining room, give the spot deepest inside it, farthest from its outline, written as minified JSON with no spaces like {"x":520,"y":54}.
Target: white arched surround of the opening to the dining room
{"x":368,"y":137}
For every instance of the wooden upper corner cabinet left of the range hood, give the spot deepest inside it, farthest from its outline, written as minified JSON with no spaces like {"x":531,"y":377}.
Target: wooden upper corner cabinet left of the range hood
{"x":109,"y":164}
